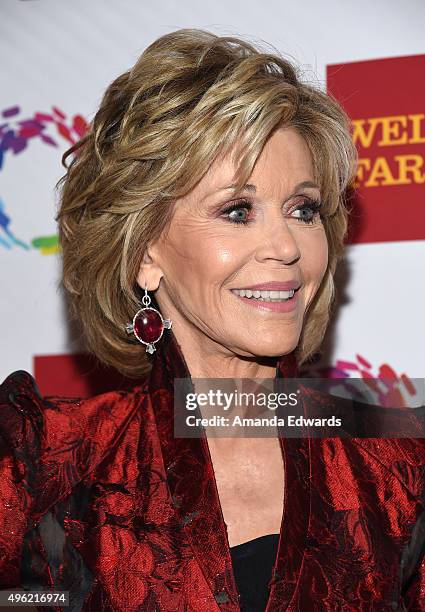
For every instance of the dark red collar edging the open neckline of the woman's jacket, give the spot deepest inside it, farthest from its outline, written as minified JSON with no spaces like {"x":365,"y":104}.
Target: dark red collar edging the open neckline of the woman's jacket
{"x":193,"y":488}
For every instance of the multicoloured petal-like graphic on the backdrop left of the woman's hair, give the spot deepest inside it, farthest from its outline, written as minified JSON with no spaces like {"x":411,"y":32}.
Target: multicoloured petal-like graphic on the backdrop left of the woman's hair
{"x":15,"y":137}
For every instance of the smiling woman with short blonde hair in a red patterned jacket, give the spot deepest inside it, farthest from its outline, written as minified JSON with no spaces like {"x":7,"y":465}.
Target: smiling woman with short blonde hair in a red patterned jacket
{"x":211,"y":185}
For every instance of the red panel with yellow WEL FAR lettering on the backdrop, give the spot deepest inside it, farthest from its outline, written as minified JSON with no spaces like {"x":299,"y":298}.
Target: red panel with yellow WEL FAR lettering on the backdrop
{"x":386,"y":101}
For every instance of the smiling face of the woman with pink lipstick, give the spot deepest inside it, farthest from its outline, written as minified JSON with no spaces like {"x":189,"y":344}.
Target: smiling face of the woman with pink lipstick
{"x":218,"y":244}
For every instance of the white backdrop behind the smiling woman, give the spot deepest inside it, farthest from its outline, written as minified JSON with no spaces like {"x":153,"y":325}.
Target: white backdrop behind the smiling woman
{"x":62,"y":54}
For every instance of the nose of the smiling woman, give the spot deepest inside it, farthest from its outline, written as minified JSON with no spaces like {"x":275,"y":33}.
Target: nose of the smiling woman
{"x":278,"y":242}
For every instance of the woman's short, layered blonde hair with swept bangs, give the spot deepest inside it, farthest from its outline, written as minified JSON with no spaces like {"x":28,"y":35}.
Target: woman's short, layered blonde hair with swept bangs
{"x":190,"y":96}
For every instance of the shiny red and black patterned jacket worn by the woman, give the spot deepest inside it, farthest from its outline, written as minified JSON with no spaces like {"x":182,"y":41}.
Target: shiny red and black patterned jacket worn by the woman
{"x":98,"y":498}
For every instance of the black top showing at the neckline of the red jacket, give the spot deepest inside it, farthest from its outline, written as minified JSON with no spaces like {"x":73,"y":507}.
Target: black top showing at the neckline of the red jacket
{"x":252,"y":566}
